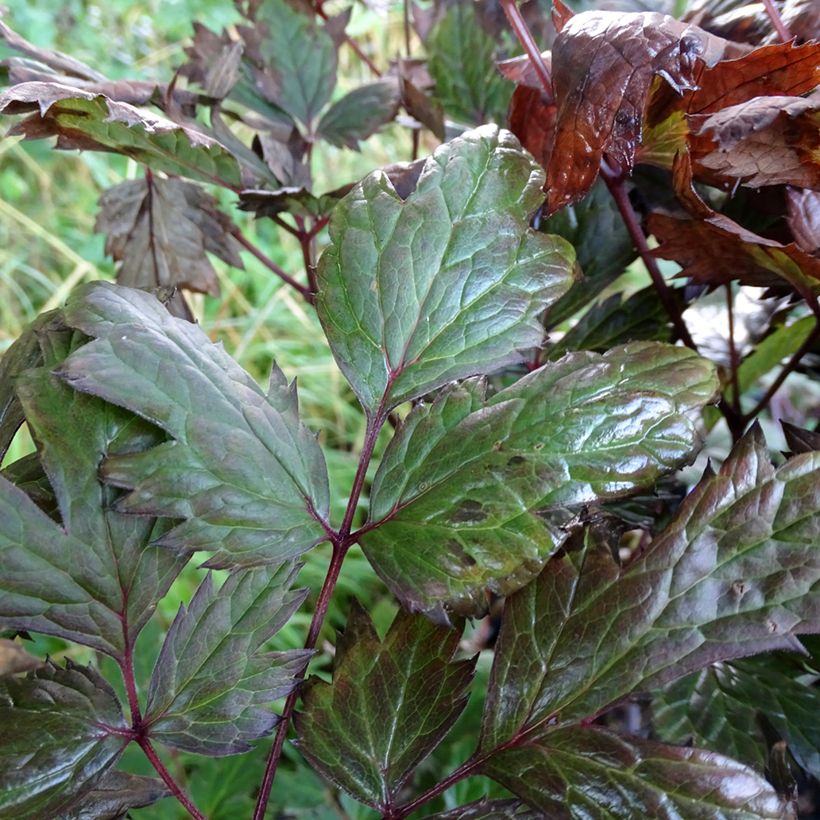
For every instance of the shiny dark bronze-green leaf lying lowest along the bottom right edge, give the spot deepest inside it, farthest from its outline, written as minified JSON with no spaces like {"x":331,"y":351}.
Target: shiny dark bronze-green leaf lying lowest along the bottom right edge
{"x":589,"y":772}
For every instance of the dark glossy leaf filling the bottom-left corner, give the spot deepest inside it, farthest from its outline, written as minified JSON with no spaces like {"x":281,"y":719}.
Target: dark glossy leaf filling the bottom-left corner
{"x":58,"y":737}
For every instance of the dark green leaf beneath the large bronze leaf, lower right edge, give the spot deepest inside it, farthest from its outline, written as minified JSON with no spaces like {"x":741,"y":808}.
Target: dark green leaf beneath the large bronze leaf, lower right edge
{"x":721,"y":708}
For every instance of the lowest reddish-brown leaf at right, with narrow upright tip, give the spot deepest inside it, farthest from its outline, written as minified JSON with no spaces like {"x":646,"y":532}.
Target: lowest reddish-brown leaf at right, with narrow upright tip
{"x":714,"y":250}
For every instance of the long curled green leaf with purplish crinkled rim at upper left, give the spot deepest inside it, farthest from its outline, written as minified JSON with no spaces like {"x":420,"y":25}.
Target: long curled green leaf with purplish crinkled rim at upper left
{"x":87,"y":121}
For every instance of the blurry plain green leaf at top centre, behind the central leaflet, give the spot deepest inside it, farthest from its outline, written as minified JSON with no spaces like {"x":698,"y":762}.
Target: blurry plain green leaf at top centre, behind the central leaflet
{"x":462,"y":64}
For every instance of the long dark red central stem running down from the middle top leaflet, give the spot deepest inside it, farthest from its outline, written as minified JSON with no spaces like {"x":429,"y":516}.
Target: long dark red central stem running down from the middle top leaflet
{"x":342,"y":540}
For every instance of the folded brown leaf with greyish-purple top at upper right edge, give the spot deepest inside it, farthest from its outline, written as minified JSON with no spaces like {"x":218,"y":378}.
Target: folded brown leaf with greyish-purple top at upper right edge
{"x":765,"y":141}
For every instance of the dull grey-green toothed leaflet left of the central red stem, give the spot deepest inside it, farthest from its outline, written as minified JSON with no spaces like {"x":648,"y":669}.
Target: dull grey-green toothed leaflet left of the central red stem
{"x":247,"y":476}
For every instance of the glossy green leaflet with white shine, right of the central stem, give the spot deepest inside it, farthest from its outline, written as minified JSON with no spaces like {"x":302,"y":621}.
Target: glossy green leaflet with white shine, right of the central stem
{"x":472,"y":492}
